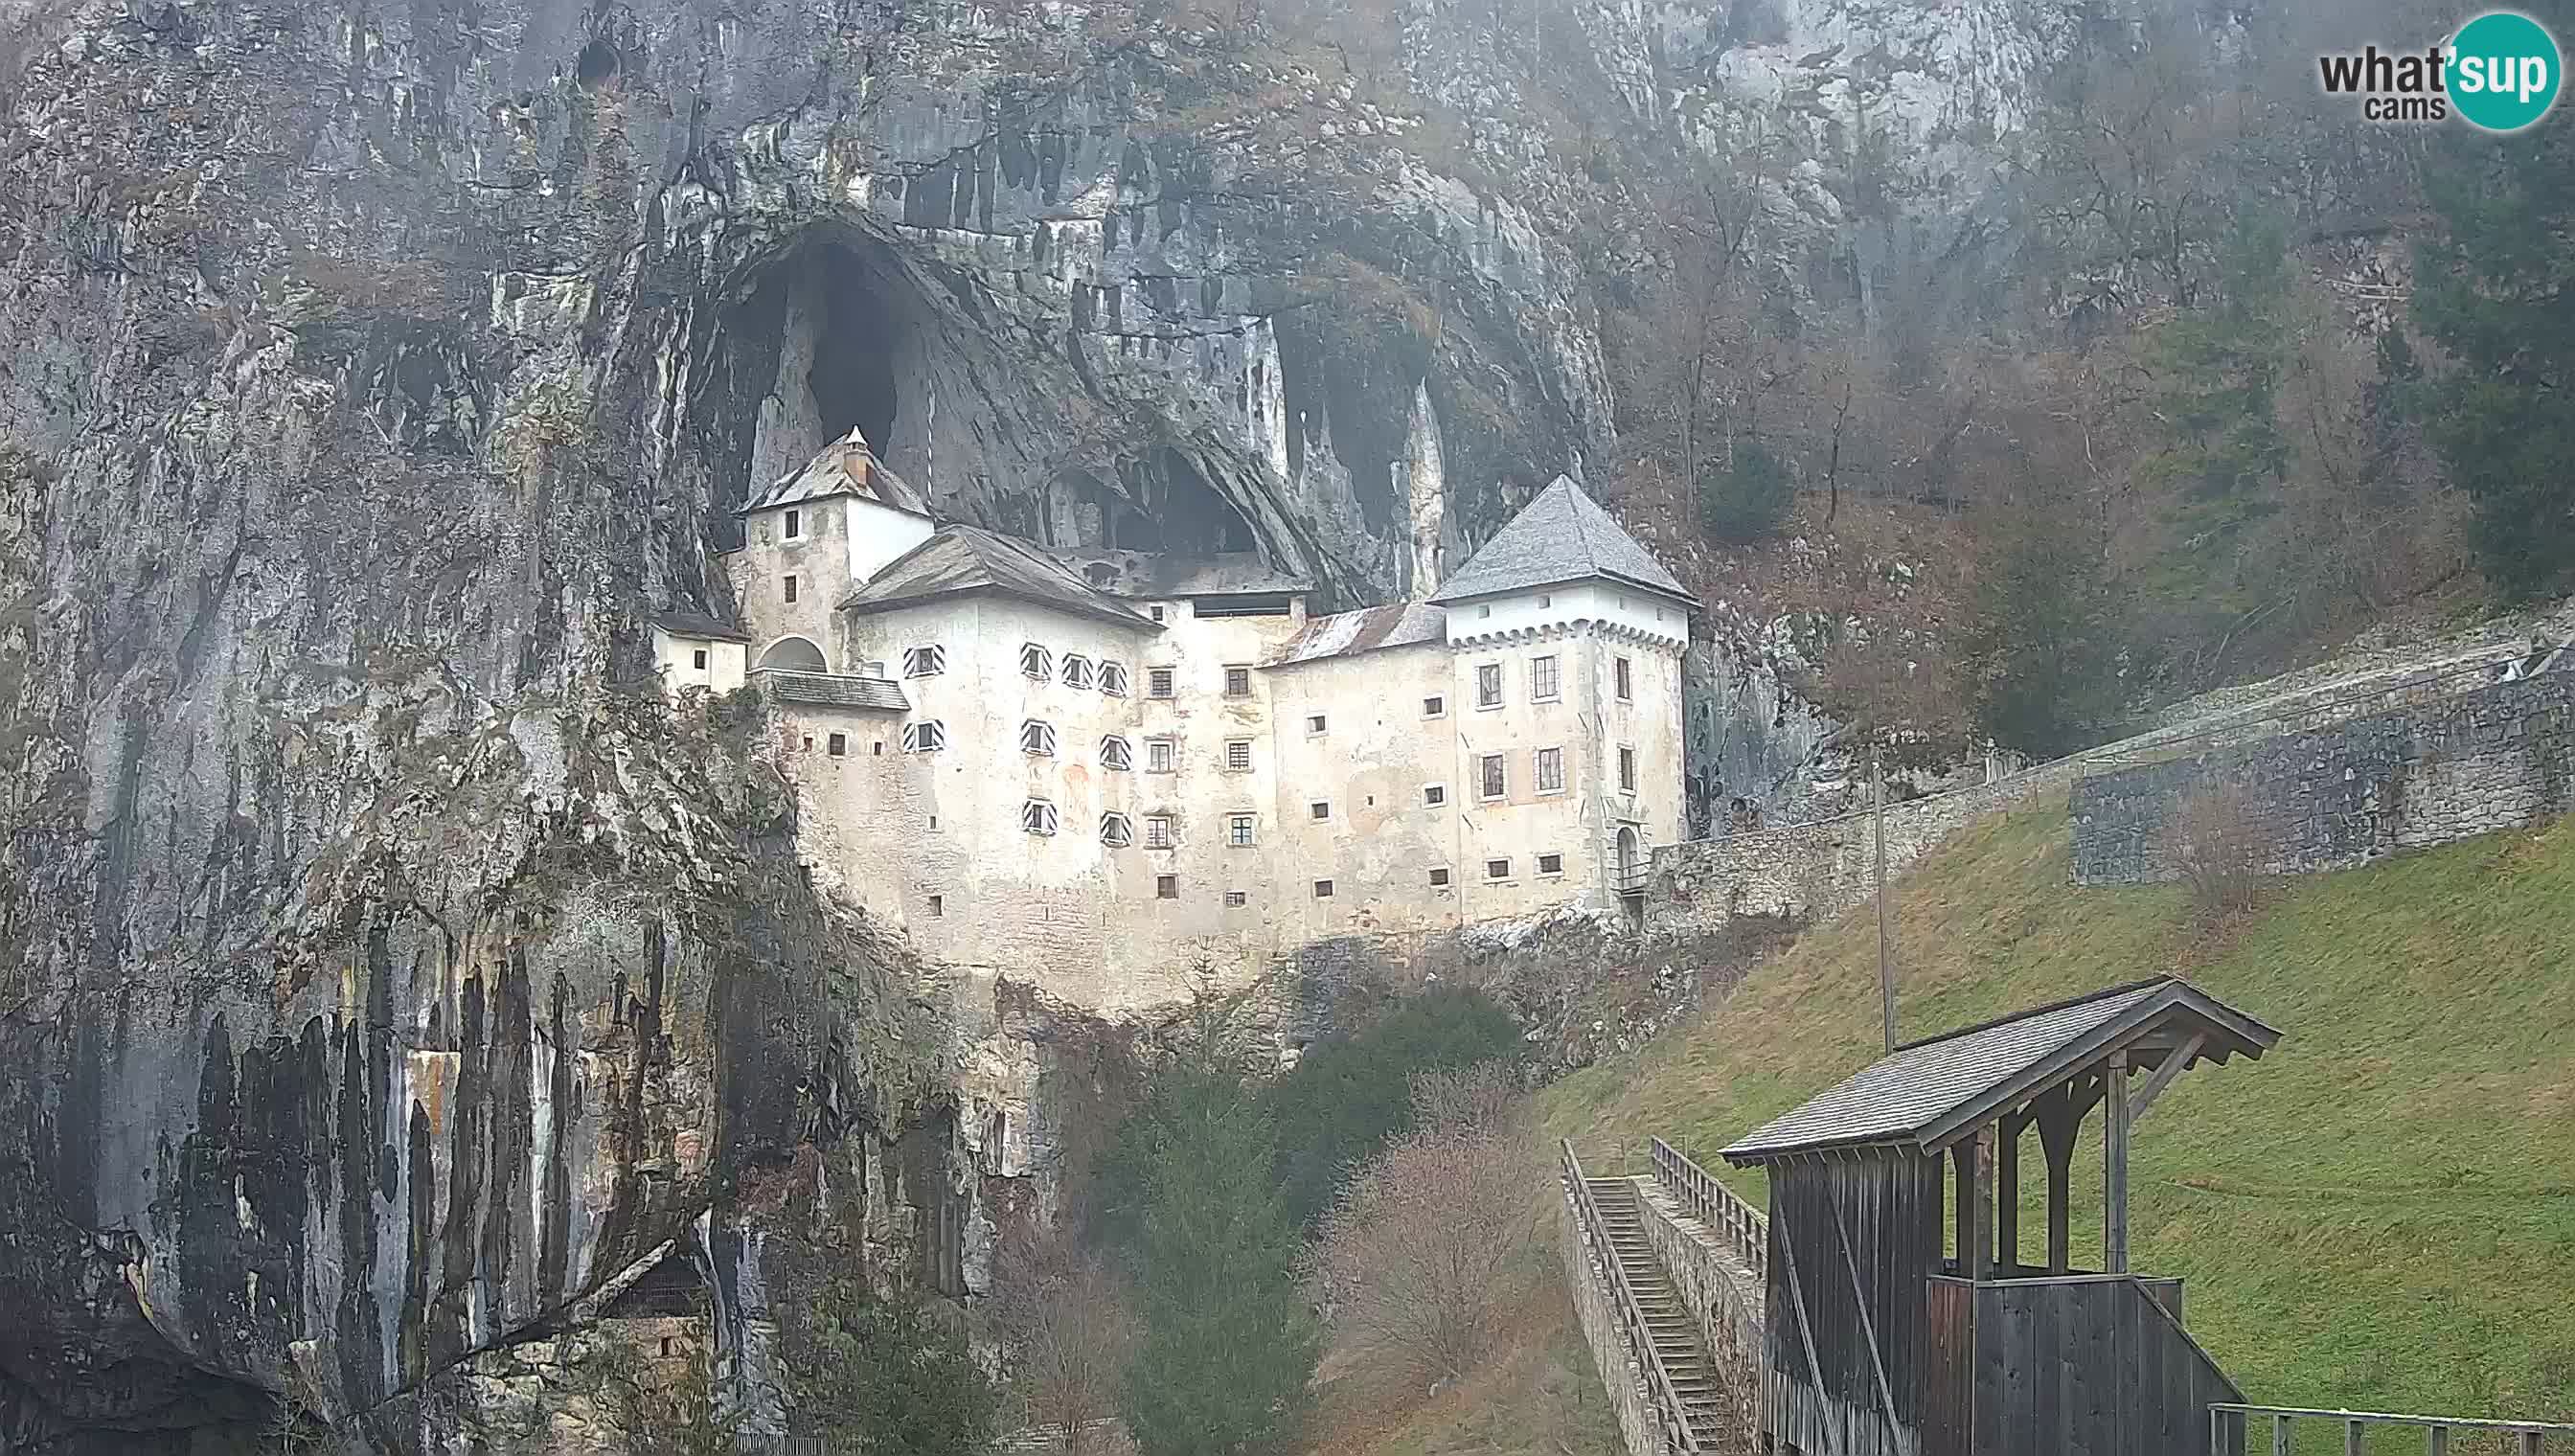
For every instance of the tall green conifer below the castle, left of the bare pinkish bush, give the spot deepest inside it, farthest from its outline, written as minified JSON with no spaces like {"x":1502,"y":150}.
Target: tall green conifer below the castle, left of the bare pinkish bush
{"x":1230,"y":1344}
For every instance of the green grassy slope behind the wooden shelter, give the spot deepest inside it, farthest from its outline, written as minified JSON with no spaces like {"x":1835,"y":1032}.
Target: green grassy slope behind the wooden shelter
{"x":2378,"y":1215}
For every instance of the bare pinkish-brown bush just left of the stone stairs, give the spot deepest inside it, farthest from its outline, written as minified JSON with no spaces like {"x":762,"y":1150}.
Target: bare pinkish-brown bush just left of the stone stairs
{"x":1433,"y":1236}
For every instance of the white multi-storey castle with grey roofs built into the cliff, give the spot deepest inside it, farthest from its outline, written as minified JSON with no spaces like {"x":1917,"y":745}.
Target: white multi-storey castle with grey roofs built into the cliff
{"x":1109,"y":769}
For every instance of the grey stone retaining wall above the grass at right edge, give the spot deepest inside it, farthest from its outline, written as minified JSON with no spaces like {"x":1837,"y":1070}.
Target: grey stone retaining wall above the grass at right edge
{"x":2424,"y":774}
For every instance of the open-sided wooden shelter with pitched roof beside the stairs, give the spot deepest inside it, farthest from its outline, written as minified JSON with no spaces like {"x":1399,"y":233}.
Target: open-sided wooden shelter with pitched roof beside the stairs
{"x":1909,"y":1328}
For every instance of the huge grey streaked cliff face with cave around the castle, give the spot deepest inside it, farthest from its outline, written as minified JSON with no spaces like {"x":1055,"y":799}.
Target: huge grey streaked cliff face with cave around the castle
{"x":382,"y":973}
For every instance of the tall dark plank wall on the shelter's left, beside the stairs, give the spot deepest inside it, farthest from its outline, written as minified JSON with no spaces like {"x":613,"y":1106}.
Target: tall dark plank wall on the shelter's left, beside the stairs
{"x":1863,"y":1233}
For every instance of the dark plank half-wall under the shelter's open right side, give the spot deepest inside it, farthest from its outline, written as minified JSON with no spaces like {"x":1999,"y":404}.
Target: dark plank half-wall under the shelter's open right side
{"x":2087,"y":1367}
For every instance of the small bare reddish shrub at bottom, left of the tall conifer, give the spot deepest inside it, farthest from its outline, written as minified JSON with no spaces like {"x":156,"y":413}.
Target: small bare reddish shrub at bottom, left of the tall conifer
{"x":1067,"y":1339}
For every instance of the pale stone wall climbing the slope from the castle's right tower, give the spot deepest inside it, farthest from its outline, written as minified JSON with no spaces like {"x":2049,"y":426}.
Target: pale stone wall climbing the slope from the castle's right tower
{"x":1809,"y":872}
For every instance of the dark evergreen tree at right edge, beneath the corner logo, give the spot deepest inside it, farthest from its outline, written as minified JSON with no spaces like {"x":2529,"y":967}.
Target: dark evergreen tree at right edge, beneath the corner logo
{"x":2499,"y":292}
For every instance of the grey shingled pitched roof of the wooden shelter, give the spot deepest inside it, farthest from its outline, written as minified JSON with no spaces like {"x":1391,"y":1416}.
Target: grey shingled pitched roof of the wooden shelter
{"x":1920,"y":1094}
